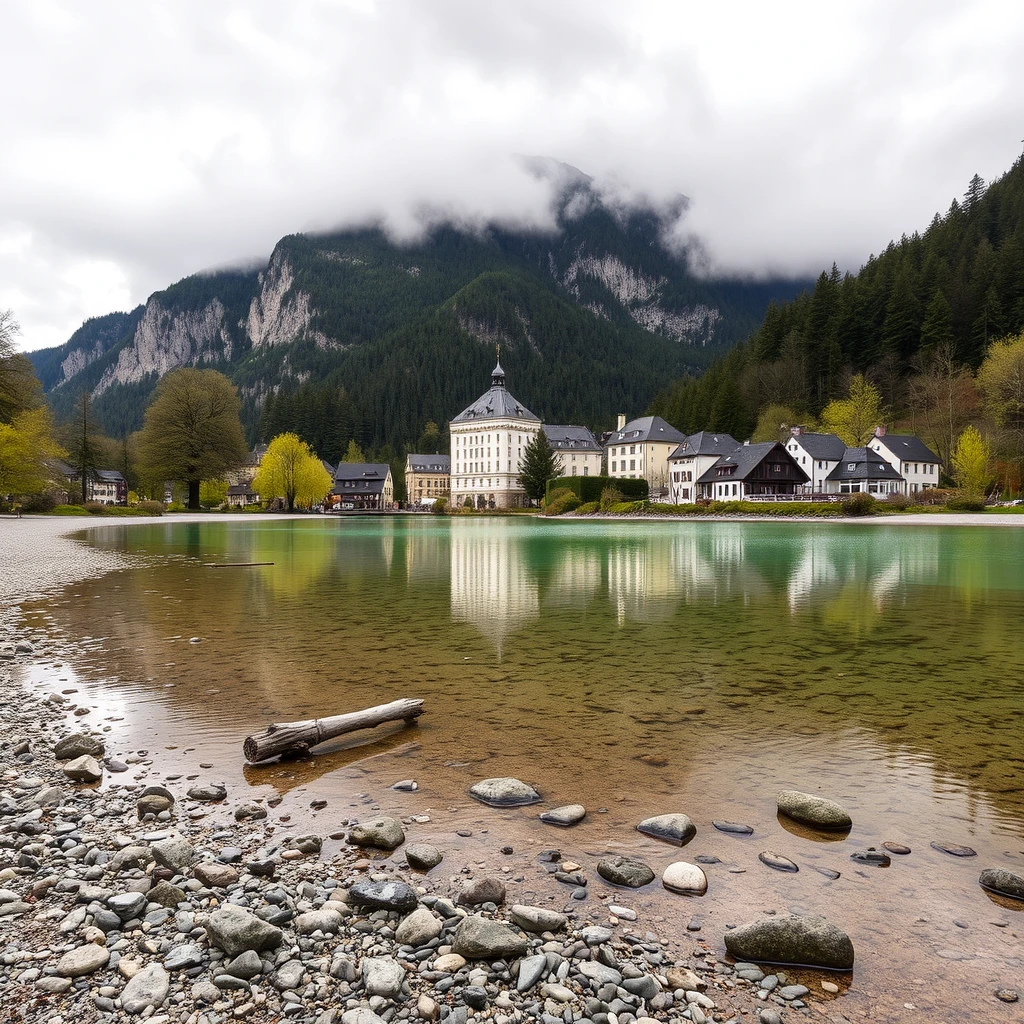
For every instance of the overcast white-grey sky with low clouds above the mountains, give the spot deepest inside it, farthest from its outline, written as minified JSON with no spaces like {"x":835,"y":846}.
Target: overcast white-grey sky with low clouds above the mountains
{"x":143,"y":142}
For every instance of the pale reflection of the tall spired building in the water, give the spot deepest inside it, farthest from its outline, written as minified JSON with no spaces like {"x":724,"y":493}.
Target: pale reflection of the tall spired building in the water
{"x":490,"y":586}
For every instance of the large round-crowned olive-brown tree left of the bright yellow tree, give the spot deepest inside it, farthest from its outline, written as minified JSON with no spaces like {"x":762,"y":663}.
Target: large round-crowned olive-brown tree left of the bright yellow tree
{"x":192,"y":431}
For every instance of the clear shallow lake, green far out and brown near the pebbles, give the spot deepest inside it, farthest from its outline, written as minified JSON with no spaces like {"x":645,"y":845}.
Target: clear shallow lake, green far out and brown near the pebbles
{"x":636,"y":668}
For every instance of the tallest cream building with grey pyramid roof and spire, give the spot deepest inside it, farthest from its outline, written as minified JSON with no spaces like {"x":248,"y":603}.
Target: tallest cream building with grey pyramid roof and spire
{"x":488,"y":440}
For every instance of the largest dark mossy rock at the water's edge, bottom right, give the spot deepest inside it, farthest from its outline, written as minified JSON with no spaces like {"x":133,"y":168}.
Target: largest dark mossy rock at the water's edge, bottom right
{"x":807,"y":942}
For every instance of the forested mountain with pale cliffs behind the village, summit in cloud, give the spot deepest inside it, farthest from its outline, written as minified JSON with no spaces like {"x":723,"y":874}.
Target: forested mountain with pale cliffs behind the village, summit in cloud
{"x":350,"y":335}
